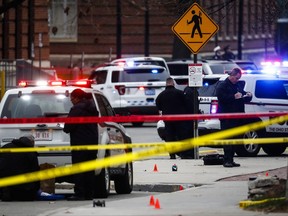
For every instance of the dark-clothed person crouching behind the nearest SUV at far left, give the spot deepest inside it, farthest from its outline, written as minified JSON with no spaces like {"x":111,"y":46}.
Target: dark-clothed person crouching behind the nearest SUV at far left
{"x":19,"y":163}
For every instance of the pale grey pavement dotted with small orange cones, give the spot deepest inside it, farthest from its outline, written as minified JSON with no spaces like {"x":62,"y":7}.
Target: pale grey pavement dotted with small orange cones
{"x":203,"y":194}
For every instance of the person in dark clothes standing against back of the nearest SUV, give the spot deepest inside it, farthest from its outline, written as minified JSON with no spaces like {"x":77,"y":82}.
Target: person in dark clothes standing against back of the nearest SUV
{"x":82,"y":134}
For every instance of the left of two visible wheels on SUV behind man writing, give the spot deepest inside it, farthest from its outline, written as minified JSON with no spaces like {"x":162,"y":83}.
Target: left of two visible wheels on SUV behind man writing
{"x":248,"y":150}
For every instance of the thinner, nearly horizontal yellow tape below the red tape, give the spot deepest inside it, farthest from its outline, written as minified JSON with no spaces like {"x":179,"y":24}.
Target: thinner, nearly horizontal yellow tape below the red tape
{"x":143,"y":145}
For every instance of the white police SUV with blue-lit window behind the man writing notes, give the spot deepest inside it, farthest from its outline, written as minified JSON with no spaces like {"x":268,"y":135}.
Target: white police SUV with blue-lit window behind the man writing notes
{"x":270,"y":94}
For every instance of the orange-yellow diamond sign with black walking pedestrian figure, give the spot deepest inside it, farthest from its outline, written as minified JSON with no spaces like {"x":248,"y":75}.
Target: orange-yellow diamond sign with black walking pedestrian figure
{"x":195,"y":28}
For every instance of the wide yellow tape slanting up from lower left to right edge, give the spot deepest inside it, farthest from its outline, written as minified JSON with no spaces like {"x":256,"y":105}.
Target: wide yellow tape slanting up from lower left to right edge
{"x":171,"y":147}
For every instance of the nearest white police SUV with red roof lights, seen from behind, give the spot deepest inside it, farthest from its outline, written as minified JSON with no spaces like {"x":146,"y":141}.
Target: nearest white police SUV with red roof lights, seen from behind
{"x":51,"y":99}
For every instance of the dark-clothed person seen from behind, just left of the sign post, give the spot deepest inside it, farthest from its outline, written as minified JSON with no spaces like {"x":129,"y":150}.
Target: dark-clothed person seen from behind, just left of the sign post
{"x":171,"y":101}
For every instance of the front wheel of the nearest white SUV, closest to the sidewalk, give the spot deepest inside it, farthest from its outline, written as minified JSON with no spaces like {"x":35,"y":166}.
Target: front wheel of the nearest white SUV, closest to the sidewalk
{"x":124,"y":183}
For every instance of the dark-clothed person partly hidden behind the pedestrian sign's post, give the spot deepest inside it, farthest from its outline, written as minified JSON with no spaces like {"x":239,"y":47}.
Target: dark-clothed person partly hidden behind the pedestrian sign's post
{"x":189,"y":94}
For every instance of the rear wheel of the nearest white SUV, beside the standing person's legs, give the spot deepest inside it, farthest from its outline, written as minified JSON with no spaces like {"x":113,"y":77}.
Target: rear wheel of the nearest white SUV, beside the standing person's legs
{"x":102,"y":184}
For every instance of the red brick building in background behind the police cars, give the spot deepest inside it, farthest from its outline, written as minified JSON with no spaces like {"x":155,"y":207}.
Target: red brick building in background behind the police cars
{"x":86,"y":32}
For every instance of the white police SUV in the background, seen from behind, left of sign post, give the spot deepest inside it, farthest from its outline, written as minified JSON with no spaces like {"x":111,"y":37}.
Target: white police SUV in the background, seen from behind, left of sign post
{"x":131,"y":90}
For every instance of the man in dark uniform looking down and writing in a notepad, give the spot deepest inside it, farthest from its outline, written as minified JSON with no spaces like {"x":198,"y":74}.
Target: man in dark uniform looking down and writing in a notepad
{"x":231,"y":99}
